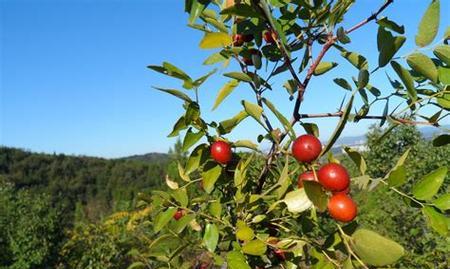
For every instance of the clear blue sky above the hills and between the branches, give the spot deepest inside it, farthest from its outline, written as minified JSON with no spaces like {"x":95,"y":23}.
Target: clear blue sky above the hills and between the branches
{"x":73,"y":76}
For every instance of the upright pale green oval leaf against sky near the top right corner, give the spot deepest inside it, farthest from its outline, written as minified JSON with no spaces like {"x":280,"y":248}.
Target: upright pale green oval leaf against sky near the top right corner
{"x":429,"y":24}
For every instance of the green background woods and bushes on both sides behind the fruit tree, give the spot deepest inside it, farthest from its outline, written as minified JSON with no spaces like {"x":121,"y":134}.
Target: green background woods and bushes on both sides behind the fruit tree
{"x":38,"y":228}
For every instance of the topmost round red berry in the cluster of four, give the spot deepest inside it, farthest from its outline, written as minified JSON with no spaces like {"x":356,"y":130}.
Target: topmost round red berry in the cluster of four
{"x":306,"y":148}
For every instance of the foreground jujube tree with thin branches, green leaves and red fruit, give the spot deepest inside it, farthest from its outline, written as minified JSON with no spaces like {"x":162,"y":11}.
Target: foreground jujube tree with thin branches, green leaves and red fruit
{"x":291,"y":207}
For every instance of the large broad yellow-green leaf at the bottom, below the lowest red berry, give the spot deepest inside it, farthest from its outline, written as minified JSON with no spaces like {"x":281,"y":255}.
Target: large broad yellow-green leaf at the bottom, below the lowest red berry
{"x":374,"y":249}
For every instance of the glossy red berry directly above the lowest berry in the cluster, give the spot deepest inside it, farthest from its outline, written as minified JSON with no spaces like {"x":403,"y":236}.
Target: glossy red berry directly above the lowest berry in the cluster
{"x":333,"y":177}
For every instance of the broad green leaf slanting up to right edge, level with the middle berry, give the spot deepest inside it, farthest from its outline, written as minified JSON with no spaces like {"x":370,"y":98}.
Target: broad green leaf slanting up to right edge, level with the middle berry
{"x":429,"y":185}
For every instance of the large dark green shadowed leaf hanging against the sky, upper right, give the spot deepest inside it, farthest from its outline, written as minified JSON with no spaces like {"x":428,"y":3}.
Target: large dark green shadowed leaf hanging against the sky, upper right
{"x":388,"y":45}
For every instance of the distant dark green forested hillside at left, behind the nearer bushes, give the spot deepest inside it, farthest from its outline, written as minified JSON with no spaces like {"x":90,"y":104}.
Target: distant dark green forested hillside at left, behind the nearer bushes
{"x":98,"y":185}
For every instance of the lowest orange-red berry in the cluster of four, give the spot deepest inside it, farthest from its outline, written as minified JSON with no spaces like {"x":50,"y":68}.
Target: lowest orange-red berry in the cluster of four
{"x":342,"y":208}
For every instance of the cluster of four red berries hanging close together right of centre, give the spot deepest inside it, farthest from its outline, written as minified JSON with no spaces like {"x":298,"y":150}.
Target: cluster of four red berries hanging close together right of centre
{"x":332,"y":176}
